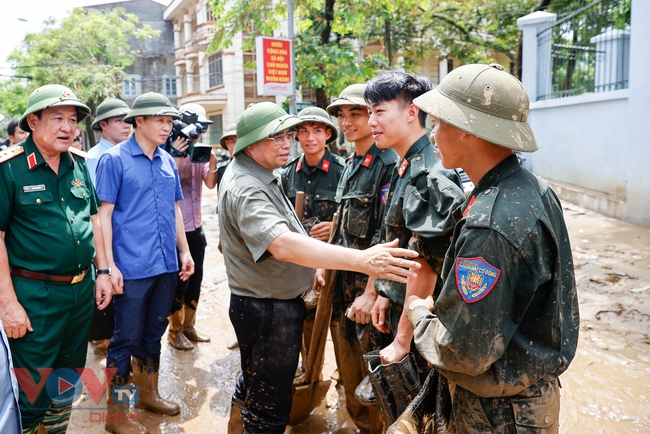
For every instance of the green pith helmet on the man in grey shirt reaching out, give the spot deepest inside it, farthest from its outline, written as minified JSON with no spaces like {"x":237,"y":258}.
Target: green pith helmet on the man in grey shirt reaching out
{"x":261,"y":121}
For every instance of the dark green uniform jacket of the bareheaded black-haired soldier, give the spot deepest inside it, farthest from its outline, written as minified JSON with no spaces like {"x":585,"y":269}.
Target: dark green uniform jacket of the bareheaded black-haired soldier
{"x":419,"y":212}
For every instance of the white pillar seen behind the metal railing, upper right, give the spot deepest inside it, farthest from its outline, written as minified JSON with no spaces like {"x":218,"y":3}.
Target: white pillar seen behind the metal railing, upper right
{"x":612,"y":60}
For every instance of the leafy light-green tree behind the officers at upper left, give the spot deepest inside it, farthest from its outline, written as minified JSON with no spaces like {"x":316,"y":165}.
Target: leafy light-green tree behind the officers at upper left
{"x":86,"y":51}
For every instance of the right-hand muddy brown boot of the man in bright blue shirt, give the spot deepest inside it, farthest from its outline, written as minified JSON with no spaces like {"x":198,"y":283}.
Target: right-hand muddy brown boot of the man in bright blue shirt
{"x":145,"y":377}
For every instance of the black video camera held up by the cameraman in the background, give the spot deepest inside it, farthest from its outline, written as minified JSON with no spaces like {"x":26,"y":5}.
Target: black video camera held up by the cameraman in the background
{"x":189,"y":127}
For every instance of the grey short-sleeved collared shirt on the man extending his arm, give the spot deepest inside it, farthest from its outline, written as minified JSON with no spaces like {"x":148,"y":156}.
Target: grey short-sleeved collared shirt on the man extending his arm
{"x":254,"y":211}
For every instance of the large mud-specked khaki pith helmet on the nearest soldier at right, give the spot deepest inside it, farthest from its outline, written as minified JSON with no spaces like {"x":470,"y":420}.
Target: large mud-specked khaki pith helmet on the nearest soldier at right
{"x":484,"y":101}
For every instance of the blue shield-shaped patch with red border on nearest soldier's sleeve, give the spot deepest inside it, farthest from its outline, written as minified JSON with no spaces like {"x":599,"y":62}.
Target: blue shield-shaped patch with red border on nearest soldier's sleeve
{"x":475,"y":278}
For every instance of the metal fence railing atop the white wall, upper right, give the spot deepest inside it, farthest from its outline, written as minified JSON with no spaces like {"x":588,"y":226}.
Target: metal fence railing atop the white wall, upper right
{"x":585,"y":50}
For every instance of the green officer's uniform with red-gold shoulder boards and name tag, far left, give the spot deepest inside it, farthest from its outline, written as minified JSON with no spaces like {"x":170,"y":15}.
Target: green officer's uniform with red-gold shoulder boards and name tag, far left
{"x":46,"y":219}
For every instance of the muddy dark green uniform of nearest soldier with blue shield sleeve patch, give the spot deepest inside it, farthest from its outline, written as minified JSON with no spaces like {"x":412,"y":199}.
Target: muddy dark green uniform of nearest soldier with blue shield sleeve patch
{"x":508,"y":274}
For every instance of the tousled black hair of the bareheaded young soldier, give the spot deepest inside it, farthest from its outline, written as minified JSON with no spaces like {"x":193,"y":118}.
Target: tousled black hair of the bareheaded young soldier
{"x":401,"y":86}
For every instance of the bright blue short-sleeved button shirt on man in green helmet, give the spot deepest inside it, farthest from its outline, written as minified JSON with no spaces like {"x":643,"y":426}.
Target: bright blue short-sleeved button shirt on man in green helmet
{"x":144,"y":193}
